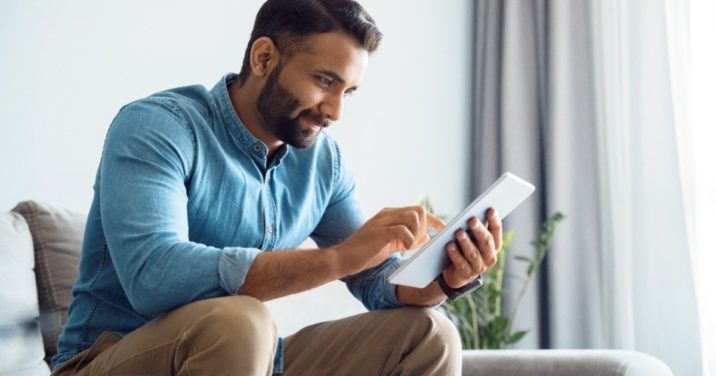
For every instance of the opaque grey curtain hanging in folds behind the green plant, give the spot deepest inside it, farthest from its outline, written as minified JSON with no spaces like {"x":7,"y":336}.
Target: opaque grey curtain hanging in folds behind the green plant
{"x":534,"y":116}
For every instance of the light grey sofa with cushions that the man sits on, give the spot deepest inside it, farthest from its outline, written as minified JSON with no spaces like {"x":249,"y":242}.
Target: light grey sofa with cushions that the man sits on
{"x":40,"y":249}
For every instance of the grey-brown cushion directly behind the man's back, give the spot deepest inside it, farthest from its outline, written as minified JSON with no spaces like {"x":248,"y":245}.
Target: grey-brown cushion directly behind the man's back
{"x":57,"y":238}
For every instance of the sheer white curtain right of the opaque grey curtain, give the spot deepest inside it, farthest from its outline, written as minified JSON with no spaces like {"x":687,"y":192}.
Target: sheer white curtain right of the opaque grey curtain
{"x":642,"y":185}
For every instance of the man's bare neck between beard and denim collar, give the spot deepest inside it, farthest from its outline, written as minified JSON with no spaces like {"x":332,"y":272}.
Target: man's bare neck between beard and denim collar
{"x":243,"y":99}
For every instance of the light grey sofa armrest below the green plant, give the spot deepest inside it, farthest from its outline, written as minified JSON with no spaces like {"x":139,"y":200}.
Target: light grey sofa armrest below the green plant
{"x":562,"y":362}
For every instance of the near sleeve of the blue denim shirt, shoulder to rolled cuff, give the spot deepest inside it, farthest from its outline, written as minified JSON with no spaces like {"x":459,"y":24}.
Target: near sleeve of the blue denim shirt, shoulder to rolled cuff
{"x":146,"y":163}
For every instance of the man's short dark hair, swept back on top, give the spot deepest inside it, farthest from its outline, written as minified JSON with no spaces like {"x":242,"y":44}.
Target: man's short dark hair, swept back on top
{"x":289,"y":22}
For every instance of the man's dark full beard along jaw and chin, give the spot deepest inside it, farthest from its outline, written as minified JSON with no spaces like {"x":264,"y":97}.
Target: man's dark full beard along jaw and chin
{"x":275,"y":104}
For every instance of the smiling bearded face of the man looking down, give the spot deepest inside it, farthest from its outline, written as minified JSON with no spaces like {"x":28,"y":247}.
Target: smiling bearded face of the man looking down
{"x":305,"y":93}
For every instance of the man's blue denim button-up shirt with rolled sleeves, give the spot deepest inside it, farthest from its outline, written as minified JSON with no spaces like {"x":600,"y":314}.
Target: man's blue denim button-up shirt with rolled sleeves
{"x":185,"y":199}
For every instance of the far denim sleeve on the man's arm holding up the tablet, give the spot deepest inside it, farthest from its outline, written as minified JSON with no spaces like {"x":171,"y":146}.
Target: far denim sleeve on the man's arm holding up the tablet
{"x":342,"y":217}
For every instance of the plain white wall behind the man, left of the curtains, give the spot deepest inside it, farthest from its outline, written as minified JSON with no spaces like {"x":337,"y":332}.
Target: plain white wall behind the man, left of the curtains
{"x":67,"y":67}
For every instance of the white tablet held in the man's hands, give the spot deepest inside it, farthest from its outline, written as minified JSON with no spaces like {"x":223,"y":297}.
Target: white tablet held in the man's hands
{"x":426,"y":263}
